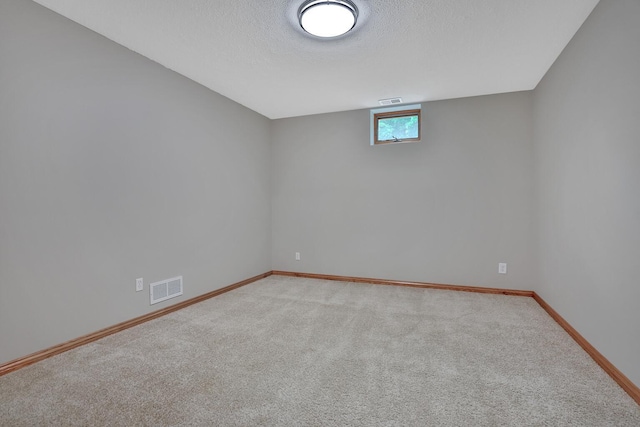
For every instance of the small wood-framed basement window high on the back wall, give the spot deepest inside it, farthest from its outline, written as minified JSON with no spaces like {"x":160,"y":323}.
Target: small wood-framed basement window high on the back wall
{"x":395,"y":124}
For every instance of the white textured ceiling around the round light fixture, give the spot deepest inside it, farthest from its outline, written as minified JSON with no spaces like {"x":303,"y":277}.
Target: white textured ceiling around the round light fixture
{"x":255,"y":53}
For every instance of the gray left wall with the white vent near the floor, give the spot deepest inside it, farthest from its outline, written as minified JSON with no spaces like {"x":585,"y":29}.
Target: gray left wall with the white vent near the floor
{"x":111,"y":168}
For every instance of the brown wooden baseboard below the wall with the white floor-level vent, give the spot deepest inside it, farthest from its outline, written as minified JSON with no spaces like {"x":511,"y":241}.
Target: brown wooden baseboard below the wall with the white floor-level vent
{"x":61,"y":348}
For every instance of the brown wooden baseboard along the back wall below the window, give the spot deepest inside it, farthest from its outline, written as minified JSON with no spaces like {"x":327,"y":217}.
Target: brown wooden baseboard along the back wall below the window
{"x":423,"y":285}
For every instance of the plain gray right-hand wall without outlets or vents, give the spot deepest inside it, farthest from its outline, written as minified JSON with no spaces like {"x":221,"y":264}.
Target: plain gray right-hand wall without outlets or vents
{"x":587,"y":139}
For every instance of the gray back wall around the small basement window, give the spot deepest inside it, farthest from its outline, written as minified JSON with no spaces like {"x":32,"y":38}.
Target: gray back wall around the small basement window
{"x":447,"y":209}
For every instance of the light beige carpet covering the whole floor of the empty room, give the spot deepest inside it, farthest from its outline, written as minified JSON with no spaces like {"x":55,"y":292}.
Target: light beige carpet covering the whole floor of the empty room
{"x":293,"y":352}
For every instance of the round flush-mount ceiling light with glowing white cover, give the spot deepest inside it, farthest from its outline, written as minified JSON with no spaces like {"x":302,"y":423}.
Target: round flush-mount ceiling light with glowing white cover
{"x":327,"y":18}
